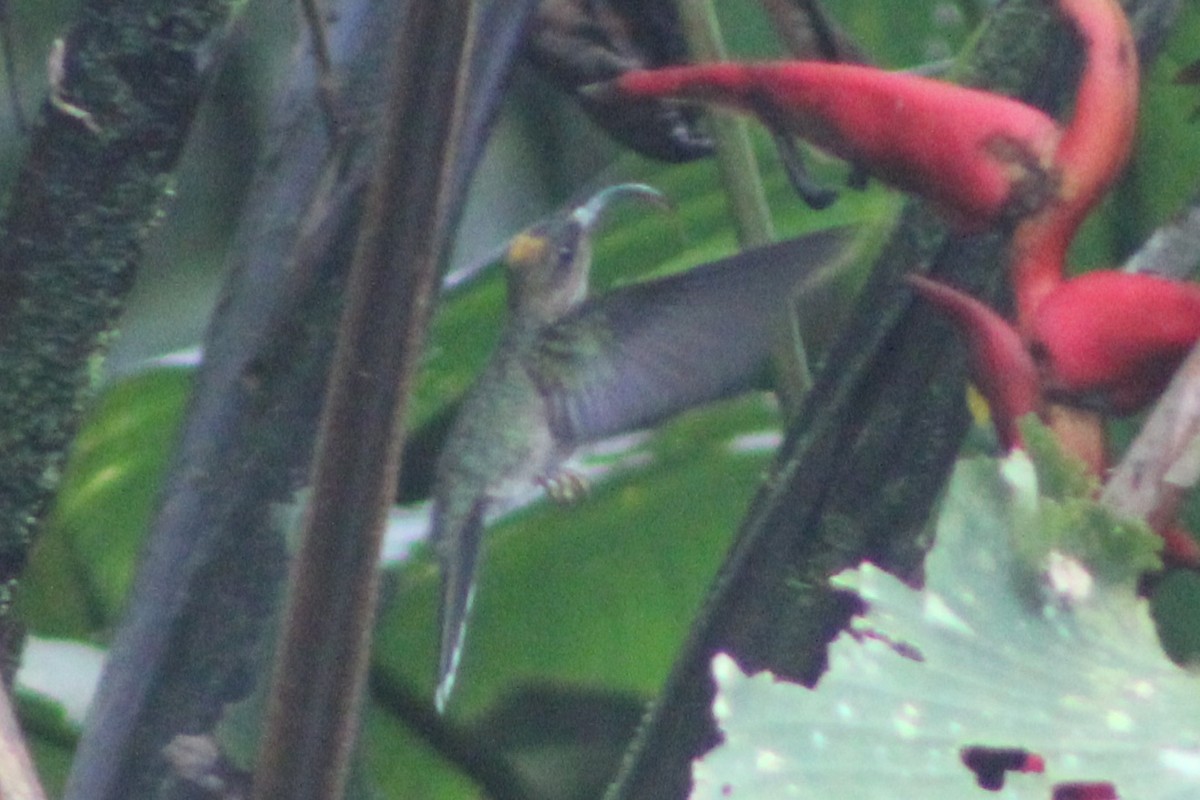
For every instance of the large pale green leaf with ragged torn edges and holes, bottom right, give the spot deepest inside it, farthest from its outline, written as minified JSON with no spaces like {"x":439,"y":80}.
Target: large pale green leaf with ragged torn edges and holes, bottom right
{"x":1066,"y":667}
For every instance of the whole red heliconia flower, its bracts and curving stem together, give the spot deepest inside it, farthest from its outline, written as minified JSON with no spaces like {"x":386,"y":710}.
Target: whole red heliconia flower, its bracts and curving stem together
{"x":977,"y":157}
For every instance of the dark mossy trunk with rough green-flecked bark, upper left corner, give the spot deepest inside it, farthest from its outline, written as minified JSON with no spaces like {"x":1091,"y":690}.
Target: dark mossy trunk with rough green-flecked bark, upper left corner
{"x":95,"y":182}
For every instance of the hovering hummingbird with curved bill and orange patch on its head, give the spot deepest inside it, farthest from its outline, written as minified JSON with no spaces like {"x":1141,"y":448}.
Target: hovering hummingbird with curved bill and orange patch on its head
{"x":569,"y":370}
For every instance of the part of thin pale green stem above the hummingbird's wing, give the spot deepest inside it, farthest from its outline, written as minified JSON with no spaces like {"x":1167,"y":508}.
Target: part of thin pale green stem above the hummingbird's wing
{"x":735,"y":155}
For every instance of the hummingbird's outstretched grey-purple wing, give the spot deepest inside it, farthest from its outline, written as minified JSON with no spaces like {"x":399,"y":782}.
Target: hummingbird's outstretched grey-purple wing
{"x":643,"y":353}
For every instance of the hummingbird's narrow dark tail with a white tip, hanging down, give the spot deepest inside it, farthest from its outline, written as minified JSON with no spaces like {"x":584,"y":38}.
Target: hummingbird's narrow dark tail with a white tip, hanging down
{"x":457,"y":540}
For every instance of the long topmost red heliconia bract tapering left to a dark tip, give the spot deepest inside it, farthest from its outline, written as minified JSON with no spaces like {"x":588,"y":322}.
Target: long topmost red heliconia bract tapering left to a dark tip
{"x":968,"y":152}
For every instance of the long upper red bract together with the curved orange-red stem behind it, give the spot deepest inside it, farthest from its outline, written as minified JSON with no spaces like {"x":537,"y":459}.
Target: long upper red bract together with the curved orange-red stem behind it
{"x":973,"y":154}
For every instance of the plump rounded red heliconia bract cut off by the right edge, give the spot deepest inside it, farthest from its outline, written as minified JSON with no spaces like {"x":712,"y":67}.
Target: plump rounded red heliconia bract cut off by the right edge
{"x":1115,"y":336}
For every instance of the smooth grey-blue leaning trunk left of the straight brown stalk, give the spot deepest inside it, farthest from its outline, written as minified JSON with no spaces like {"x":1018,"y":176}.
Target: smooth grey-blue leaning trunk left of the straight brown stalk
{"x":207,"y":593}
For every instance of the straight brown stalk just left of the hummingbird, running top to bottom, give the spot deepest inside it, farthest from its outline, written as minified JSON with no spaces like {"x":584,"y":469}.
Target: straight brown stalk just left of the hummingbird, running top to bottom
{"x":321,"y":669}
